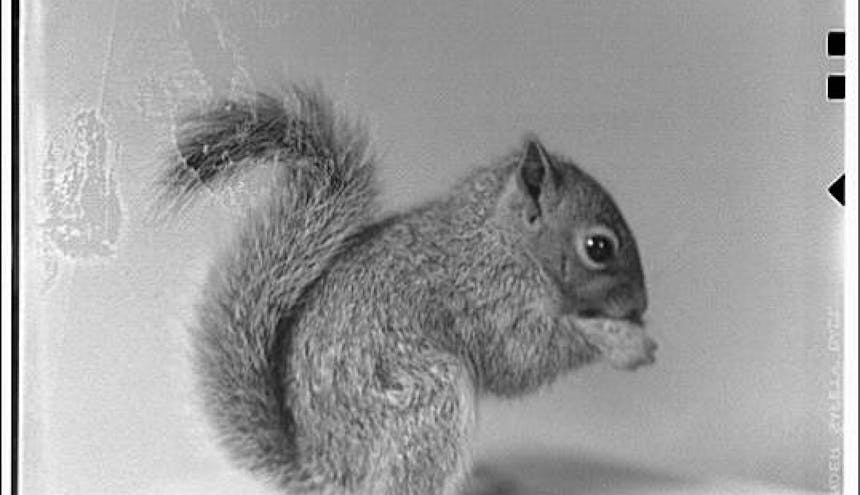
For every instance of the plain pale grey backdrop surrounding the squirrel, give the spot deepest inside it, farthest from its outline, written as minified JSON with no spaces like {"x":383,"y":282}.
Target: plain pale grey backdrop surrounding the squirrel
{"x":706,"y":120}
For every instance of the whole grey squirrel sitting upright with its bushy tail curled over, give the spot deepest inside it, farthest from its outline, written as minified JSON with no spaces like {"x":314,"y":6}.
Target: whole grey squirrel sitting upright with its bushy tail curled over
{"x":340,"y":351}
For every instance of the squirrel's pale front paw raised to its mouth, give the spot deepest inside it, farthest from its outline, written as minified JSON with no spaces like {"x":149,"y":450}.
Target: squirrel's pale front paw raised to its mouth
{"x":624,"y":344}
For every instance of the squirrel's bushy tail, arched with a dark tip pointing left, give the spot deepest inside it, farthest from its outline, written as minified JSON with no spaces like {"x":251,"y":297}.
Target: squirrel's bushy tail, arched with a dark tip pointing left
{"x":323,"y":193}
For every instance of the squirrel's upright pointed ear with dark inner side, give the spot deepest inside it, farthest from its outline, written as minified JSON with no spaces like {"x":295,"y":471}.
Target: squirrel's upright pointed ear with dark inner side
{"x":536,"y":176}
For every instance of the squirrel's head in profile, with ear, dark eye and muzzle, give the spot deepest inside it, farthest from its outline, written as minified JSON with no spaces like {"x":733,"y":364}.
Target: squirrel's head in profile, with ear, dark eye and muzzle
{"x":570,"y":226}
